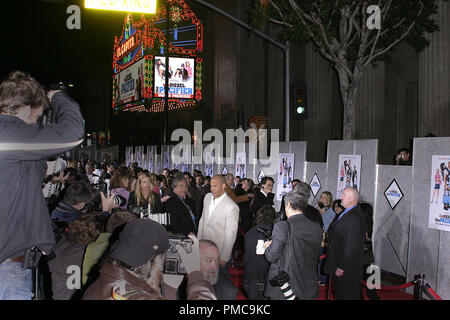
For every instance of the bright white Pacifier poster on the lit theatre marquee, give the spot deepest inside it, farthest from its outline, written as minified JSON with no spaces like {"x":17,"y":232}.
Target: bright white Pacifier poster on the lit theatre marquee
{"x":181,"y":77}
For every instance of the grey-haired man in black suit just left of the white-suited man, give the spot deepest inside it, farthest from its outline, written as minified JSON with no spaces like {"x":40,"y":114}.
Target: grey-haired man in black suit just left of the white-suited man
{"x":181,"y":208}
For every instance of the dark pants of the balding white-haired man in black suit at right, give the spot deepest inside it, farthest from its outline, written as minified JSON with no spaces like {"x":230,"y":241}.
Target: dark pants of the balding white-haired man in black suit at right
{"x":347,"y":287}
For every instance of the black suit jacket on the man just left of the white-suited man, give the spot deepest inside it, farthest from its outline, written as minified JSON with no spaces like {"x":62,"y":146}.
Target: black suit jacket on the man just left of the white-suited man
{"x":180,"y":218}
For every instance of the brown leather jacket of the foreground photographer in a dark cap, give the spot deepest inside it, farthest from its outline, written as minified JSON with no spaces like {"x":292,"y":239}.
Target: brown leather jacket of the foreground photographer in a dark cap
{"x":116,"y":283}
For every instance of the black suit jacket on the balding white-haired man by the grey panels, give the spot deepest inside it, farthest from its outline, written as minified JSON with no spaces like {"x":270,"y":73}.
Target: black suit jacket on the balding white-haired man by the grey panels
{"x":346,"y":238}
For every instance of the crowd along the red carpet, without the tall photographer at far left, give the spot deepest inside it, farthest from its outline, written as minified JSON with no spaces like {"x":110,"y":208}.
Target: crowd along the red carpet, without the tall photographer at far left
{"x":232,"y":220}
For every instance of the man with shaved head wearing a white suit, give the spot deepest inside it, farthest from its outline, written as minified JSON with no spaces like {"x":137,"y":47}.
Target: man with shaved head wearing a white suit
{"x":219,"y":221}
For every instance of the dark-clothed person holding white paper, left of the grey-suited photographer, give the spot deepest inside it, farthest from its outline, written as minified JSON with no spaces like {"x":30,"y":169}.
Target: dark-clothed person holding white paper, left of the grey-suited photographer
{"x":255,"y":264}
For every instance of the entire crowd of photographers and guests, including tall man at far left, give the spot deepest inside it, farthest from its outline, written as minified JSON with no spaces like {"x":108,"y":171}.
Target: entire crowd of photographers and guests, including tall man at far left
{"x":106,"y":231}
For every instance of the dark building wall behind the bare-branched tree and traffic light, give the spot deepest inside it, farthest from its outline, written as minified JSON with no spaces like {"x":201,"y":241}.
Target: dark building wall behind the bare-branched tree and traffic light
{"x":398,"y":100}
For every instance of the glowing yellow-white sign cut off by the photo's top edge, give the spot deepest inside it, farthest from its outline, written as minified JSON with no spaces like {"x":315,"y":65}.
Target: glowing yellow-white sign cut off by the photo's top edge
{"x":142,"y":6}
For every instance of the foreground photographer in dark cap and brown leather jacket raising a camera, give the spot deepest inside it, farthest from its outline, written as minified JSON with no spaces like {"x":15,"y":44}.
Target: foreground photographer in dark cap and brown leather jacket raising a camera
{"x":132,"y":270}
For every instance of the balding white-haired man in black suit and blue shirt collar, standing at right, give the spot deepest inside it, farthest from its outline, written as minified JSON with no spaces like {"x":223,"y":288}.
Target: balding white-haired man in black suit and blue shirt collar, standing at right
{"x":345,"y":254}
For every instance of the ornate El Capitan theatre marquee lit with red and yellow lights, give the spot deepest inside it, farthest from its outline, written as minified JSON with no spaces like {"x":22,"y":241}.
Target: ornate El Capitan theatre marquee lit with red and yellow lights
{"x":139,"y":60}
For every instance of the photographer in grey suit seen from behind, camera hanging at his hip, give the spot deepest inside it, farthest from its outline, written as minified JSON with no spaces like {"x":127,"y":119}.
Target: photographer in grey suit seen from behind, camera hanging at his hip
{"x":293,"y":252}
